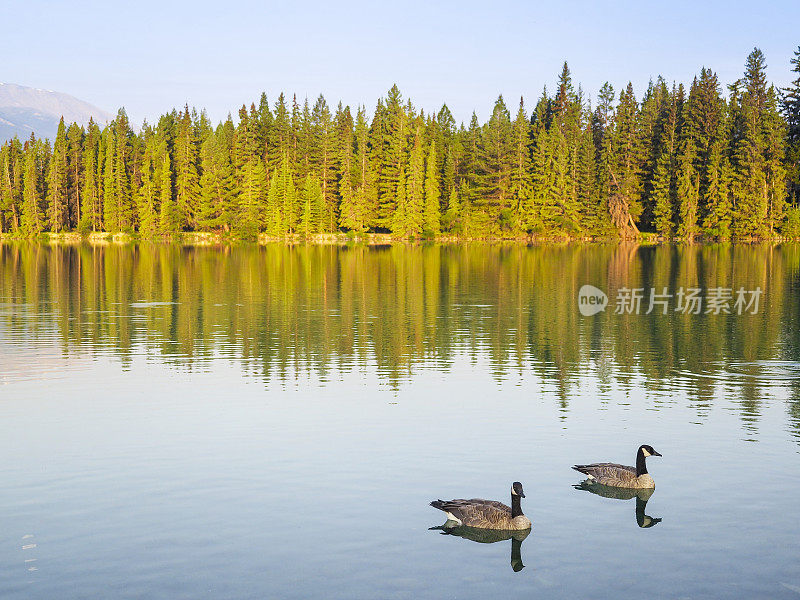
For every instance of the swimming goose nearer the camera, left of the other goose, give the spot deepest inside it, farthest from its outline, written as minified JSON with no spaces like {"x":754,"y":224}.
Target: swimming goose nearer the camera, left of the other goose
{"x":486,"y":514}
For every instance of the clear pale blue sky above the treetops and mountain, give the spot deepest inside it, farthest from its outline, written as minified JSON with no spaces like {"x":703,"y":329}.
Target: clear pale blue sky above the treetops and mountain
{"x":150,"y":56}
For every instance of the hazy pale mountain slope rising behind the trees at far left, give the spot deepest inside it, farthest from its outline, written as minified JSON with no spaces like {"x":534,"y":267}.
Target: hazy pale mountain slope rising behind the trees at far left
{"x":24,"y":110}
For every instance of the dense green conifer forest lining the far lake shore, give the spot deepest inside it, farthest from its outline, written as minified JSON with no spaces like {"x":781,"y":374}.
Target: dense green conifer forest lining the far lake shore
{"x":682,"y":164}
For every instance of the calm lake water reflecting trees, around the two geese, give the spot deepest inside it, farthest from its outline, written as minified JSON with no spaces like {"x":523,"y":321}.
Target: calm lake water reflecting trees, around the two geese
{"x":272,"y":422}
